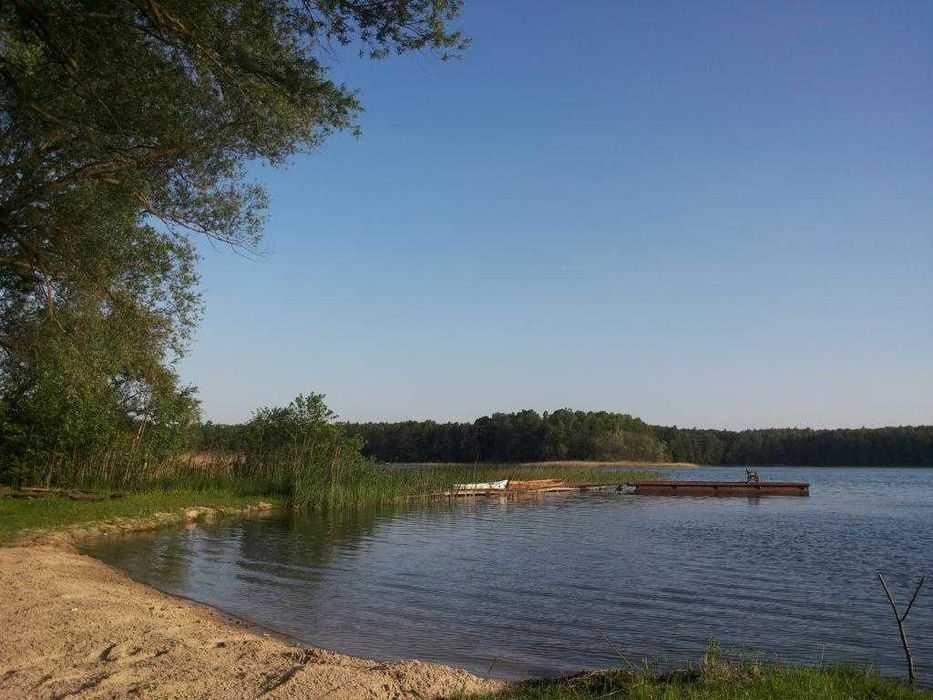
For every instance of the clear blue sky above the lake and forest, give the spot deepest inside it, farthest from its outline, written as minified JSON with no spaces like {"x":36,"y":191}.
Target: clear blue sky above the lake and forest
{"x":712,"y":214}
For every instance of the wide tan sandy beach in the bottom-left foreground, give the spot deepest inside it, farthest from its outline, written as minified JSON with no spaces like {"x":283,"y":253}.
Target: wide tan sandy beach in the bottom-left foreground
{"x":72,"y":627}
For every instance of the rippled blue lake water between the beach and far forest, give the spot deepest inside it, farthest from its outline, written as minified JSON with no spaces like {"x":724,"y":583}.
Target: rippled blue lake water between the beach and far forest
{"x":569,"y":582}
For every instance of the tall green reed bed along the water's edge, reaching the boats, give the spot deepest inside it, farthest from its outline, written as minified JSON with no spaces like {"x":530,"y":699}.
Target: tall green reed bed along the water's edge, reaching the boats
{"x":320,"y":476}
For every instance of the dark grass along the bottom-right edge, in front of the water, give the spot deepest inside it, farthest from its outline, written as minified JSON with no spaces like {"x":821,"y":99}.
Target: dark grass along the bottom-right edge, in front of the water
{"x":720,"y":681}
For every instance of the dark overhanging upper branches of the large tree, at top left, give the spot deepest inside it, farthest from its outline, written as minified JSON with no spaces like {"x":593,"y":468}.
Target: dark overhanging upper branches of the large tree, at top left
{"x":159,"y":105}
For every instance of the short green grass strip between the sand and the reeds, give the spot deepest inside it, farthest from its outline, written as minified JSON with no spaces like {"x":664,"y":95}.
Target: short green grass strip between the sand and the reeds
{"x":53,"y":513}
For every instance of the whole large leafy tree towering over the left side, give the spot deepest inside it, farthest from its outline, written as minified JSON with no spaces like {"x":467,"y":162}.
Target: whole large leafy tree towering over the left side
{"x":125,"y":128}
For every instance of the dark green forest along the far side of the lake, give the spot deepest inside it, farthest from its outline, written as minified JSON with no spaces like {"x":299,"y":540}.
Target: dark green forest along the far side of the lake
{"x":528,"y":436}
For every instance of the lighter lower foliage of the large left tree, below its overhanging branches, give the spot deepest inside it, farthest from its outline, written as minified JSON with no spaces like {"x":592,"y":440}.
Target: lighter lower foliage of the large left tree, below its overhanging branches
{"x":84,"y":349}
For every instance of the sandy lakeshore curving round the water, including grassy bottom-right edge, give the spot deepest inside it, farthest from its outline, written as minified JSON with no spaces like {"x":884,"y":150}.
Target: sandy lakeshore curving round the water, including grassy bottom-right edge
{"x":74,"y":626}
